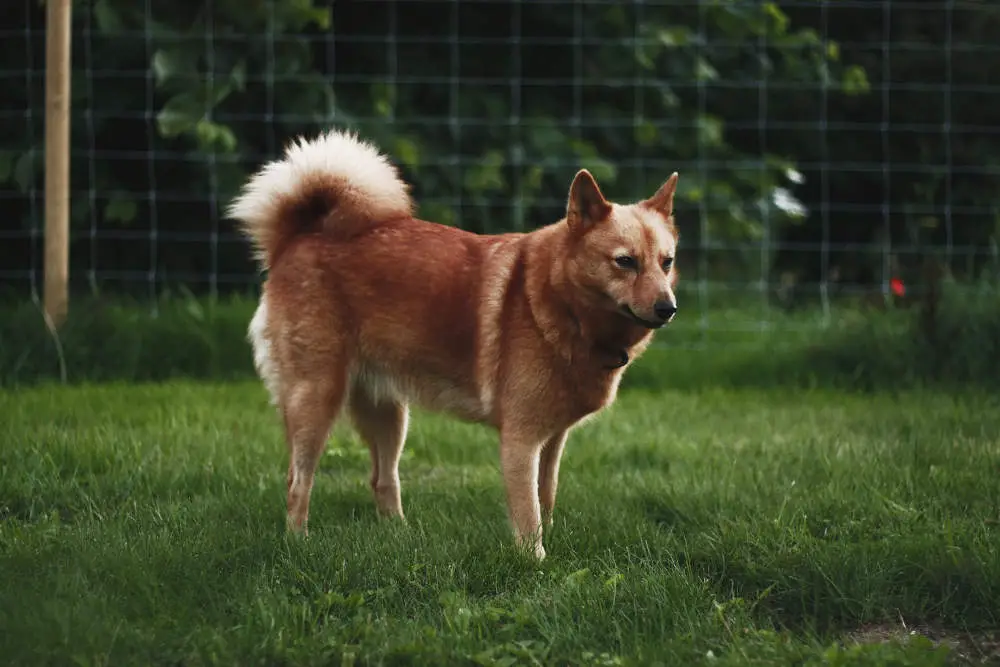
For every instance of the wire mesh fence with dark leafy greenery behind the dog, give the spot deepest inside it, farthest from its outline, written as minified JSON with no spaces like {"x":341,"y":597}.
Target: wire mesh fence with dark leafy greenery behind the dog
{"x":826,"y":148}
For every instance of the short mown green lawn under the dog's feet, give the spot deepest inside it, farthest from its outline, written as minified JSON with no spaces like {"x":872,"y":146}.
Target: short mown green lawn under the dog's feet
{"x":145,"y":525}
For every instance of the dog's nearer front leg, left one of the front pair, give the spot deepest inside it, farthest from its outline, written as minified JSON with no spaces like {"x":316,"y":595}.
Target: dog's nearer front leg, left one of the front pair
{"x":519,"y":459}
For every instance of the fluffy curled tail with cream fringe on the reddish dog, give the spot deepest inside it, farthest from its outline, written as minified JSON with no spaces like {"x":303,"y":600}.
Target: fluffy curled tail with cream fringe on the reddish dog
{"x":334,"y":183}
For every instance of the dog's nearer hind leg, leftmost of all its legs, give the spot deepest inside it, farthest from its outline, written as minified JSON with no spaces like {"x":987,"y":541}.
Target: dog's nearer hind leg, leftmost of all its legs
{"x":310,"y":408}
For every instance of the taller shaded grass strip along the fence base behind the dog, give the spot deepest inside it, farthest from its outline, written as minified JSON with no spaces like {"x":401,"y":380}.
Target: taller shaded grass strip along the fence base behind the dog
{"x":733,"y":340}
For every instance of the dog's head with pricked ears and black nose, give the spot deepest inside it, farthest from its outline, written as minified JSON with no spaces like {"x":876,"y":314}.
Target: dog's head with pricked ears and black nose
{"x":623,"y":255}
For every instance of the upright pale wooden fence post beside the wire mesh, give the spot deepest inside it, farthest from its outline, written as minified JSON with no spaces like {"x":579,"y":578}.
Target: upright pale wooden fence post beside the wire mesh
{"x":57,"y":107}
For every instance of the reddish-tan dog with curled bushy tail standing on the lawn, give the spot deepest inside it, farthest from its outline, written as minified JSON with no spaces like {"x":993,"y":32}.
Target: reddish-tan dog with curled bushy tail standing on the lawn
{"x":368,"y":309}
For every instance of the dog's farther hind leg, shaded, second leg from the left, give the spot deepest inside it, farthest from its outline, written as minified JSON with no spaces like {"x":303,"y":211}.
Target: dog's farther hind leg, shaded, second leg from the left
{"x":382,"y":424}
